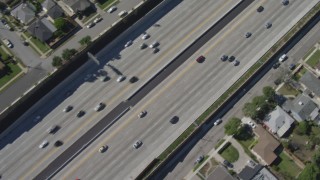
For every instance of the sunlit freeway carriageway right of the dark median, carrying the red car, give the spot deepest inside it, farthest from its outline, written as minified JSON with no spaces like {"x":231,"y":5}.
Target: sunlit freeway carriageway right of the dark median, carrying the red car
{"x":179,"y":95}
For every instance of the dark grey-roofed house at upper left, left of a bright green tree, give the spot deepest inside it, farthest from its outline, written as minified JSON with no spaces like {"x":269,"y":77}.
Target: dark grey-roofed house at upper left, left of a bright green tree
{"x":42,"y":29}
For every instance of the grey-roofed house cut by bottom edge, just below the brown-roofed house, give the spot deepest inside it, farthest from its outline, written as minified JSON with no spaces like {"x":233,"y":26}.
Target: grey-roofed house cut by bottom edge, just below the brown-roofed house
{"x":257,"y":172}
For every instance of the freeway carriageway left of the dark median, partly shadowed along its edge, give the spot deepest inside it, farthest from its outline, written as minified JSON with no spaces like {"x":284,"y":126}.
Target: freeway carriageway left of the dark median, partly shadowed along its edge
{"x":19,"y":149}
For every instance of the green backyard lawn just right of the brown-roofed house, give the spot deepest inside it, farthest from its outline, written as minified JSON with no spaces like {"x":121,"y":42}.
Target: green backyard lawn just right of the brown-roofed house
{"x":287,"y":166}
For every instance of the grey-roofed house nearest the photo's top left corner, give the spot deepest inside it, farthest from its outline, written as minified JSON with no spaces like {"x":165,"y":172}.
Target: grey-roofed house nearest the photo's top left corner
{"x":23,"y":13}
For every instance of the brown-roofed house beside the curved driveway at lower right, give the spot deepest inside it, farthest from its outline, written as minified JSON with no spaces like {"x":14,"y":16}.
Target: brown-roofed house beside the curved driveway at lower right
{"x":266,"y":146}
